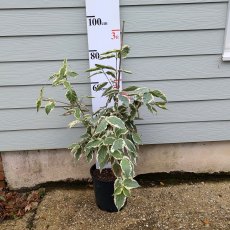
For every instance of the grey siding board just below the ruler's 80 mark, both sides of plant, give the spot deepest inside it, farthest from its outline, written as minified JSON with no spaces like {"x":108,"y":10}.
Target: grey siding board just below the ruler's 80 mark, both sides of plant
{"x":162,"y":68}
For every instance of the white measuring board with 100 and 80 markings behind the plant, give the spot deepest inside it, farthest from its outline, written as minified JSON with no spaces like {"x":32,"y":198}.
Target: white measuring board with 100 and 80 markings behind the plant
{"x":103,"y":25}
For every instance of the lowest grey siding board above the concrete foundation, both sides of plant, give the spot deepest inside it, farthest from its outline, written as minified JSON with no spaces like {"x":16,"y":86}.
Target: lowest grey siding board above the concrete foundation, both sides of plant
{"x":151,"y":134}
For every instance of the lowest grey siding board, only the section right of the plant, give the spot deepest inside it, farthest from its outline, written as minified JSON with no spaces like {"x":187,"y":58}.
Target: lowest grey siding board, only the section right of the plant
{"x":185,"y":132}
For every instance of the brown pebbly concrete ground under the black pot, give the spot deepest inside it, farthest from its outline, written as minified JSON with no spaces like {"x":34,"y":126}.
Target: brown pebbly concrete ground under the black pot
{"x":183,"y":206}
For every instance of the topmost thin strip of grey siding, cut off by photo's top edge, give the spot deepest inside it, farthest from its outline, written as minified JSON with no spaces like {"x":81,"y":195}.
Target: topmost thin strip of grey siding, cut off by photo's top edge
{"x":81,"y":3}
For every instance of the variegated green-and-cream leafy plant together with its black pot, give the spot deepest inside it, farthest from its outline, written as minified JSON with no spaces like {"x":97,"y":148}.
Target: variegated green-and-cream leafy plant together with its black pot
{"x":110,"y":133}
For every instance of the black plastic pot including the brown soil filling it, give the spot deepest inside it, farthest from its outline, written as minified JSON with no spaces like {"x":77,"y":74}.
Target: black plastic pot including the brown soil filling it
{"x":103,"y":183}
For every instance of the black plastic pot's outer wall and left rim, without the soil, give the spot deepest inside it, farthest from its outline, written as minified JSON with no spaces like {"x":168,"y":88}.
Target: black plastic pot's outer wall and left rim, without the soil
{"x":103,"y":193}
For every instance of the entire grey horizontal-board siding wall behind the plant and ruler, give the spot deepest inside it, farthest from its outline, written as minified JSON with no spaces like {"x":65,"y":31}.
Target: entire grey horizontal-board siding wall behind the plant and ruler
{"x":176,"y":47}
